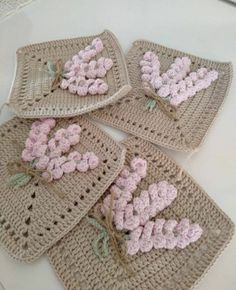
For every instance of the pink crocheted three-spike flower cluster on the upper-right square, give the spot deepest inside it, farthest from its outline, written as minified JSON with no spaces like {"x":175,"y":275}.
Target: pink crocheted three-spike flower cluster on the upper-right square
{"x":177,"y":84}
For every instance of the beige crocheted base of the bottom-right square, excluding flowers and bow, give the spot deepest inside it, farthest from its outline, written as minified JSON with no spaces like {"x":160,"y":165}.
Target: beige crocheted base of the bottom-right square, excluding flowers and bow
{"x":78,"y":267}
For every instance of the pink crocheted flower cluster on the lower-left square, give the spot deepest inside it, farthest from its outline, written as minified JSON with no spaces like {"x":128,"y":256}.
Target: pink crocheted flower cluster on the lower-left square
{"x":49,"y":154}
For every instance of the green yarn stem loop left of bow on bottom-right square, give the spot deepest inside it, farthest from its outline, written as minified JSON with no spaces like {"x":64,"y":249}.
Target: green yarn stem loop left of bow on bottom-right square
{"x":102,"y":237}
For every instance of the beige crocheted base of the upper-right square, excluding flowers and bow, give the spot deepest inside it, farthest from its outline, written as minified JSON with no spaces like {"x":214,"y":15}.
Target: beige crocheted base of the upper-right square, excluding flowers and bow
{"x":193,"y":117}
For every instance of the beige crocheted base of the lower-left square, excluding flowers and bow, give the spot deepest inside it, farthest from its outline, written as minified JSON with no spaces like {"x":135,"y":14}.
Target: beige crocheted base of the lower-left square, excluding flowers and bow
{"x":34,"y":217}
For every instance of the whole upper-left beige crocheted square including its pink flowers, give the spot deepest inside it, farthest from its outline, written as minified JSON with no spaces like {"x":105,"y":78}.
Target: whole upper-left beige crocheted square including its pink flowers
{"x":97,"y":62}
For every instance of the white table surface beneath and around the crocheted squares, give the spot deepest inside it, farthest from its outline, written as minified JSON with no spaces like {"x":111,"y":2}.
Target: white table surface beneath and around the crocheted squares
{"x":203,"y":27}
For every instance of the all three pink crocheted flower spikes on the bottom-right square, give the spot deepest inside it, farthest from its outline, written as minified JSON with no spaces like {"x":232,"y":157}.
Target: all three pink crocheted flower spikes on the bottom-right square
{"x":135,"y":215}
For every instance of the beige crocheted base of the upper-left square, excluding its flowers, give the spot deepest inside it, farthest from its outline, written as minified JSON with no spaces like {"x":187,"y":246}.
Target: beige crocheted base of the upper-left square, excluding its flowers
{"x":32,"y":95}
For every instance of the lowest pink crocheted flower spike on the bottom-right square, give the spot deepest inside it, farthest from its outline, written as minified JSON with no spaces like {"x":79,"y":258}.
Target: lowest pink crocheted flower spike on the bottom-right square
{"x":163,"y":234}
